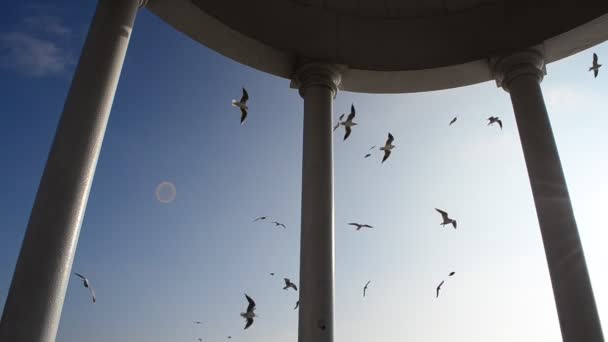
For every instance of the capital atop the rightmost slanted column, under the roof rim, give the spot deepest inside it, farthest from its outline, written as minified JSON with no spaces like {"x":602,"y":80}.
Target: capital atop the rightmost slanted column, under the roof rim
{"x":508,"y":68}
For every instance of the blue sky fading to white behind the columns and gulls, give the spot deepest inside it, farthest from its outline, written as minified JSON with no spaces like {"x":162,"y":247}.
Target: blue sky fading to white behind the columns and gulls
{"x":158,"y":267}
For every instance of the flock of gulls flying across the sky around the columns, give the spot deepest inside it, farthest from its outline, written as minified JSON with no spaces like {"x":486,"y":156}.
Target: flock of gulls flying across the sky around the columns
{"x":348,"y":125}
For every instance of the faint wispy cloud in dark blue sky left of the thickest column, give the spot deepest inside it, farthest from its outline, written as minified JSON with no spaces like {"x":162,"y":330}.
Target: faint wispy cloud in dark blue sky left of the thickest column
{"x":33,"y":56}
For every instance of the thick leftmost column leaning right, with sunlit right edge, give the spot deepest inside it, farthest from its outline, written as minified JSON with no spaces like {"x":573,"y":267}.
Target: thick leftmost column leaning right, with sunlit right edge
{"x":35,"y":300}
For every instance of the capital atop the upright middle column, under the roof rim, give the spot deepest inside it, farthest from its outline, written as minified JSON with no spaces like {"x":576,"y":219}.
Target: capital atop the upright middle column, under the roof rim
{"x":316,"y":74}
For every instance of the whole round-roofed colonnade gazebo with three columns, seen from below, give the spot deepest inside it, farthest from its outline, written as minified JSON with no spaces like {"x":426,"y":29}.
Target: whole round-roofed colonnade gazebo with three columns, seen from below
{"x":322,"y":46}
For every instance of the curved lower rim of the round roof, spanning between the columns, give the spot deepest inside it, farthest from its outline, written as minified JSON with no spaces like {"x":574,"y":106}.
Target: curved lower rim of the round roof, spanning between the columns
{"x":187,"y":18}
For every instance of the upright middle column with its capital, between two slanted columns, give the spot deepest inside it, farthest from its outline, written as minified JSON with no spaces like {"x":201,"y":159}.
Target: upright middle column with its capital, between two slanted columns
{"x":318,"y":86}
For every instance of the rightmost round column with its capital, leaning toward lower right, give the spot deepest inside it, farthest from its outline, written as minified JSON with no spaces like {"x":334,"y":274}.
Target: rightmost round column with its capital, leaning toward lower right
{"x":520,"y":74}
